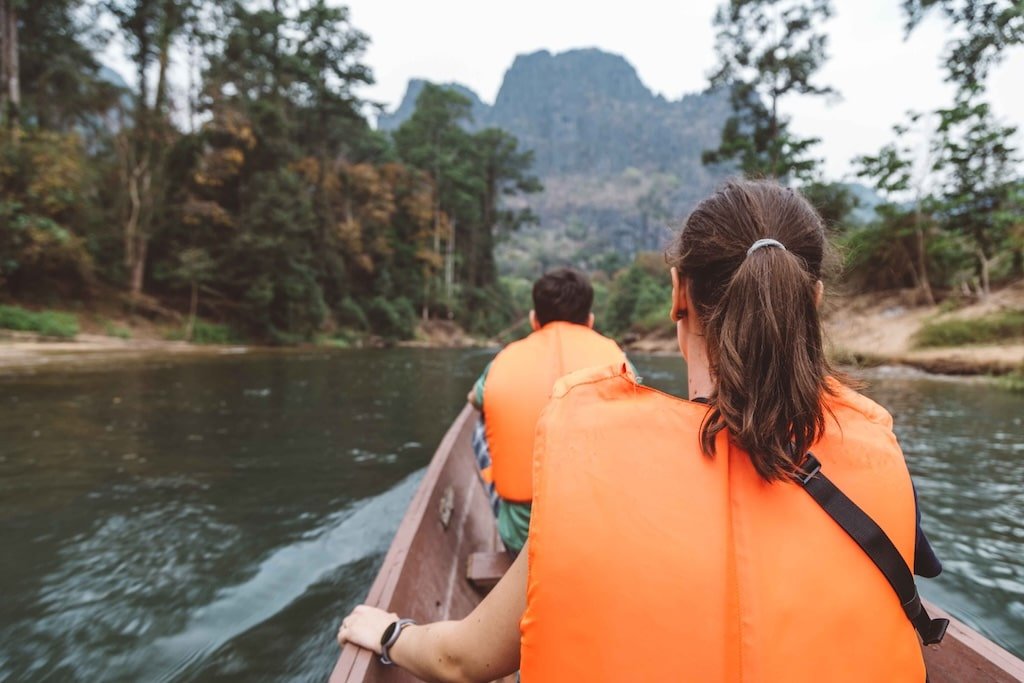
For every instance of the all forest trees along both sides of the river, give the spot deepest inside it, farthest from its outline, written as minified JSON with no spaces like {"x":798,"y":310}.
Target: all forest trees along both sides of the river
{"x":257,"y":202}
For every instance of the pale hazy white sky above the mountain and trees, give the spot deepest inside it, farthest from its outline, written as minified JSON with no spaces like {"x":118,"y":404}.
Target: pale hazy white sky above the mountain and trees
{"x":670,"y":42}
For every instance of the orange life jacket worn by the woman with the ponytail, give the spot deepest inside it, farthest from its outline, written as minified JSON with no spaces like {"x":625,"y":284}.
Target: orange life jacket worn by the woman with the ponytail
{"x":651,"y":562}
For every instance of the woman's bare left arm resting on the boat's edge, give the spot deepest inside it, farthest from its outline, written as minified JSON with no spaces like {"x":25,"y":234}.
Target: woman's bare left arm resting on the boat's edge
{"x":484,"y":647}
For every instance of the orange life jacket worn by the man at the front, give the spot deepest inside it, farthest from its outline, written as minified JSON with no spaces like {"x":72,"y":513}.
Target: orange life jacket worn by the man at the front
{"x":518,"y":389}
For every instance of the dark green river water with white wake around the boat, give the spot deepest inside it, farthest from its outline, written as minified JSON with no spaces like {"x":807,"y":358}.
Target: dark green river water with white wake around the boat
{"x":211,"y":520}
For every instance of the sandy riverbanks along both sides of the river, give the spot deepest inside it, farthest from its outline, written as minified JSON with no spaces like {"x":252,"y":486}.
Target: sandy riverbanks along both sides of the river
{"x":864,"y":330}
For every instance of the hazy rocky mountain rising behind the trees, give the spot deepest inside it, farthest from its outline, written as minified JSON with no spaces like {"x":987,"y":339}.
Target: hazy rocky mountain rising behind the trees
{"x":619,"y":163}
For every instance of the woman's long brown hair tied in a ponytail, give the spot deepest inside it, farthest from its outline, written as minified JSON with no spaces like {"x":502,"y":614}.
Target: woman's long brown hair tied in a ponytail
{"x":760,"y":320}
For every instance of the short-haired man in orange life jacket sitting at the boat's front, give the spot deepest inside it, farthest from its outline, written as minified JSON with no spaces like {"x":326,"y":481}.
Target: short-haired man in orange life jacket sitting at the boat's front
{"x":516,"y":387}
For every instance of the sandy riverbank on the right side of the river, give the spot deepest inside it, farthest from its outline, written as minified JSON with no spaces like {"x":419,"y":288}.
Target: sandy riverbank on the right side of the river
{"x":882,"y":330}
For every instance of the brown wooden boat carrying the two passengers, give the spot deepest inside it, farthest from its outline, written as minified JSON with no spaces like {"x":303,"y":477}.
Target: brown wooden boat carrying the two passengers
{"x":447,"y":554}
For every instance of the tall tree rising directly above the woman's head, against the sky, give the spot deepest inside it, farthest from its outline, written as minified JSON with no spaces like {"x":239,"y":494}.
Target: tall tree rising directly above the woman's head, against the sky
{"x":769,"y":51}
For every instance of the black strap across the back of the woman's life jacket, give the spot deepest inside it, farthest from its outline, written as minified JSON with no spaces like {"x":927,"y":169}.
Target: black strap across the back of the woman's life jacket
{"x":876,"y":544}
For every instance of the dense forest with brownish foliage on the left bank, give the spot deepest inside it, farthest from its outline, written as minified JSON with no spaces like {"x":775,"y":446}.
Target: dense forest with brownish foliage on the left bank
{"x":263,"y":199}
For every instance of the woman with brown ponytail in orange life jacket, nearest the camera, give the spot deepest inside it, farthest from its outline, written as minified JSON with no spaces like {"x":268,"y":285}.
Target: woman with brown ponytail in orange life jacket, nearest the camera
{"x":689,"y":540}
